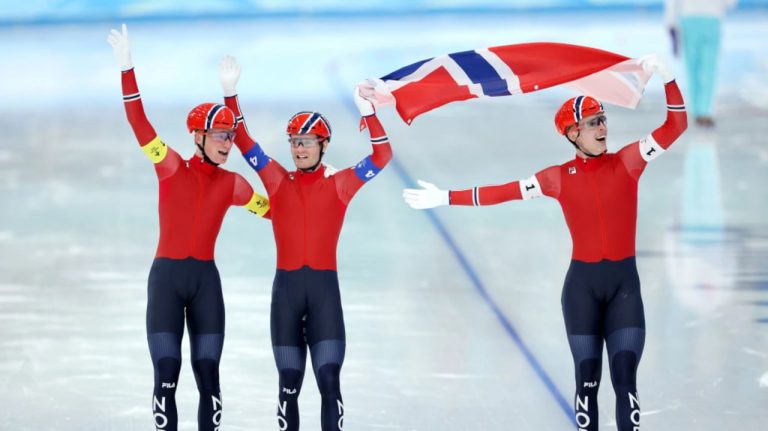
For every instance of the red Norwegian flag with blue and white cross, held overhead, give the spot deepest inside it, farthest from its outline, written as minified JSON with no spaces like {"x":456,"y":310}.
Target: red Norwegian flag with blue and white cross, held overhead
{"x":506,"y":70}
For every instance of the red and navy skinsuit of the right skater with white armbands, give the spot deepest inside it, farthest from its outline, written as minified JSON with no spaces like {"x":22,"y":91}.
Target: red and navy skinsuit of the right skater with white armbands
{"x":601,"y":295}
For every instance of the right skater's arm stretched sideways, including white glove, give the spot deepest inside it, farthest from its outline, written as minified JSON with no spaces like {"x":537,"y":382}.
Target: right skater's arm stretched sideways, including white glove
{"x":544,"y":183}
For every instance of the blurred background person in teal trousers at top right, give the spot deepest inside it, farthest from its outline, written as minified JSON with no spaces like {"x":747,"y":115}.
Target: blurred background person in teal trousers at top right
{"x":695,"y":29}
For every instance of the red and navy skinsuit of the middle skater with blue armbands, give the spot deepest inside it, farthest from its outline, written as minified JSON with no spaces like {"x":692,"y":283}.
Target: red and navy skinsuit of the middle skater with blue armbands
{"x":307,"y":215}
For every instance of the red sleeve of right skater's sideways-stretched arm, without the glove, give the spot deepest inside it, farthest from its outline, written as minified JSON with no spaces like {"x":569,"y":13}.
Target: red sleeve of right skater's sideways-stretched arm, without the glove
{"x":544,"y":183}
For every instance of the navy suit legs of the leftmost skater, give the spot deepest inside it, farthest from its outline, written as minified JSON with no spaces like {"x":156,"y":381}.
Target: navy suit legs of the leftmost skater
{"x":177,"y":287}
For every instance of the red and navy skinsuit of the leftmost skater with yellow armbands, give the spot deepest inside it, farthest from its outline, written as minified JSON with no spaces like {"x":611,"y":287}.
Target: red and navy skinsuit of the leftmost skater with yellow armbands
{"x":194,"y":197}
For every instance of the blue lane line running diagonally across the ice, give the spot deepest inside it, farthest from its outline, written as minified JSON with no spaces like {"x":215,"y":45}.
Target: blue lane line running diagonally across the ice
{"x":407,"y":179}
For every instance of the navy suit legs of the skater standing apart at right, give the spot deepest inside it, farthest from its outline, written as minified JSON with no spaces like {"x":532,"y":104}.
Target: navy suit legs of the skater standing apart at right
{"x":602,"y":303}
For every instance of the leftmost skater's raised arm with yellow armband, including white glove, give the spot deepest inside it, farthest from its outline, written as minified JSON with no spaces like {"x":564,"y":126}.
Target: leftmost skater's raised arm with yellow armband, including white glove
{"x":165,"y":159}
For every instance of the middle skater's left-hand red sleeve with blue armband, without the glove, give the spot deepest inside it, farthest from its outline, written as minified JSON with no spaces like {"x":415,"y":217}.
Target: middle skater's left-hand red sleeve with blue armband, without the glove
{"x":270,"y":172}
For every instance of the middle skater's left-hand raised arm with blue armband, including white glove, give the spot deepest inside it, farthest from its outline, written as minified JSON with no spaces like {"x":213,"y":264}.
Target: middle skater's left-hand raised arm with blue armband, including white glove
{"x":270,"y":172}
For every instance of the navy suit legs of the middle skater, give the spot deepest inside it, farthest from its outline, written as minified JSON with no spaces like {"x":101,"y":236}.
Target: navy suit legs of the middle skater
{"x":306,"y":311}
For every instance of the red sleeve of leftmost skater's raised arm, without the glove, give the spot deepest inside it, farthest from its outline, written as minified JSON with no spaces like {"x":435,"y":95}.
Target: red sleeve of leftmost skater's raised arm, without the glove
{"x":165,"y":159}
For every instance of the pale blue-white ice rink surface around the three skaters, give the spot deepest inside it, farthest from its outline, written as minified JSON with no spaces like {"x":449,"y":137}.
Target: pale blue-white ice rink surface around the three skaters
{"x":453,"y":316}
